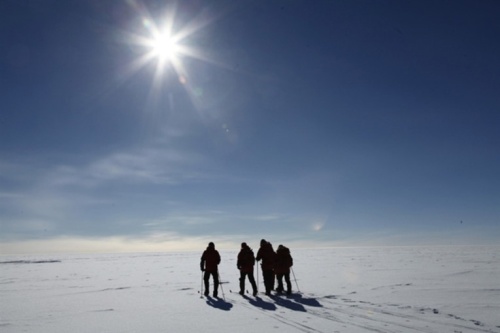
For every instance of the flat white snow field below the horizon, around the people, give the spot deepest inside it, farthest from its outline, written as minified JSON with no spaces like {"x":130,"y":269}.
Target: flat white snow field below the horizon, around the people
{"x":393,"y":289}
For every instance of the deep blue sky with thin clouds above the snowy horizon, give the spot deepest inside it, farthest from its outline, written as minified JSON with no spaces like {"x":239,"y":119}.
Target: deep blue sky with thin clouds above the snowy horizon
{"x":324,"y":123}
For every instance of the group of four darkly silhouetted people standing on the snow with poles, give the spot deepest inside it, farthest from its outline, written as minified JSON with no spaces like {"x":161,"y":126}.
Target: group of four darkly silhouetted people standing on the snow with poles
{"x":275,"y":266}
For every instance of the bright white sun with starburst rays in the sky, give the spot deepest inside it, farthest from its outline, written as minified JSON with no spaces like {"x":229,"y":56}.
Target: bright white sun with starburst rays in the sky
{"x":166,"y":46}
